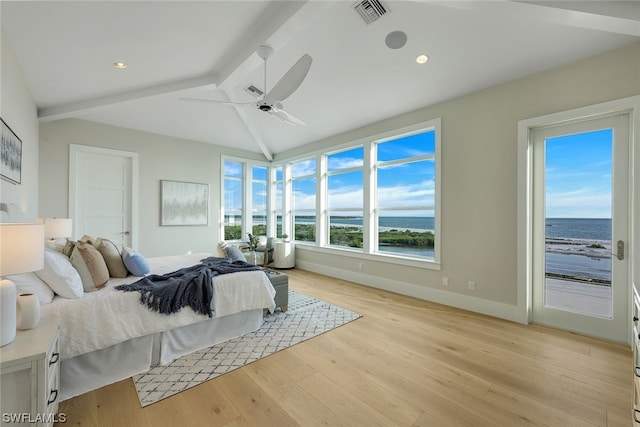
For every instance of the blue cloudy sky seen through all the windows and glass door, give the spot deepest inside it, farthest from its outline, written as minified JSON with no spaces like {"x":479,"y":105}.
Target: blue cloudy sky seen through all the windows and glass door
{"x":578,"y":177}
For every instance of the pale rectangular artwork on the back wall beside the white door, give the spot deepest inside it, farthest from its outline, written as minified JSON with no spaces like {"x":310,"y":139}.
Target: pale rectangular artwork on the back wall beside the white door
{"x":184,"y":203}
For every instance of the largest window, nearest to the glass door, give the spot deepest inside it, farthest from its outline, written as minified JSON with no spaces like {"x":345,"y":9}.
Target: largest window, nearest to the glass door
{"x":405,"y":195}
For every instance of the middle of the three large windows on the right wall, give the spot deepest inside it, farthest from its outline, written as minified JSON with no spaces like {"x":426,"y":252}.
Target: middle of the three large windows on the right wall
{"x":345,"y":198}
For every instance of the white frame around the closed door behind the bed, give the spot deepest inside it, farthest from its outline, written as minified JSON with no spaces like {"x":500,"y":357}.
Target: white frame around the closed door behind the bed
{"x":74,"y":151}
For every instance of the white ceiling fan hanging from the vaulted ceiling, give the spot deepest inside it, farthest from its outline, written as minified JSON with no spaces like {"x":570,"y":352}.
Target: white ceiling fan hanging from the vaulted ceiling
{"x":271,"y":101}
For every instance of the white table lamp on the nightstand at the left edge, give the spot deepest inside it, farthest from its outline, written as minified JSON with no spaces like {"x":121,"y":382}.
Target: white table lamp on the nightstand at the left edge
{"x":21,"y":251}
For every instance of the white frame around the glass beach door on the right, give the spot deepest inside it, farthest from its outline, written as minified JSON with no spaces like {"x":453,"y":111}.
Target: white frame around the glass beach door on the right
{"x":630,"y":105}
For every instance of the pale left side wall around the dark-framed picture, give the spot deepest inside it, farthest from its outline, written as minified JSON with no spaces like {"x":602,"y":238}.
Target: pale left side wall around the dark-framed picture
{"x":19,"y":112}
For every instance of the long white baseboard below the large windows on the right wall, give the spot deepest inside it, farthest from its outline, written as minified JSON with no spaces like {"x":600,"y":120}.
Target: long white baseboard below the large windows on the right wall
{"x":465,"y":302}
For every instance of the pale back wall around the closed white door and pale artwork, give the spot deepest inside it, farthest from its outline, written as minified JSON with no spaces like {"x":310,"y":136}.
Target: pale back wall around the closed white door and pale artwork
{"x":160,"y":157}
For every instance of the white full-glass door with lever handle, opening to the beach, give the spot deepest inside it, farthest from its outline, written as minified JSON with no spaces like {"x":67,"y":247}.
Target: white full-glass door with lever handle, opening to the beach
{"x":581,"y":226}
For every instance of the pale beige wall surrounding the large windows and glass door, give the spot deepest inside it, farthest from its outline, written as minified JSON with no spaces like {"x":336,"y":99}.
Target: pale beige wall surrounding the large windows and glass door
{"x":479,"y":173}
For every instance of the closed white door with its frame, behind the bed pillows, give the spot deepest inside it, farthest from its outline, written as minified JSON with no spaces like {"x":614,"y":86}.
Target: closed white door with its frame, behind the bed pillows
{"x":103,"y":193}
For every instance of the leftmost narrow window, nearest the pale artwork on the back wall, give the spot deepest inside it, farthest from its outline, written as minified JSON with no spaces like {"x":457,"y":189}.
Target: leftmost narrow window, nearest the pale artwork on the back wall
{"x":233,"y":199}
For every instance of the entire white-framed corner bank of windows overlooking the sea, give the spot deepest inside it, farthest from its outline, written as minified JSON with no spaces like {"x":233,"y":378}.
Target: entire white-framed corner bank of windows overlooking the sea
{"x":378,"y":196}
